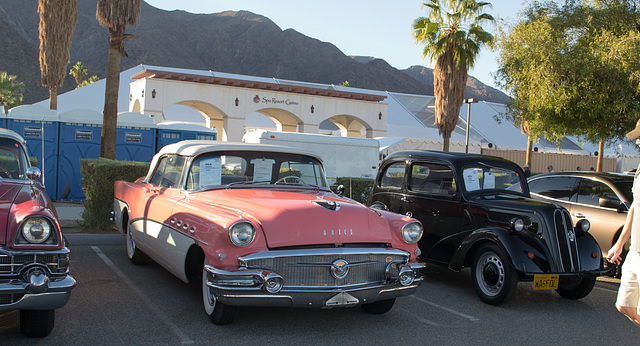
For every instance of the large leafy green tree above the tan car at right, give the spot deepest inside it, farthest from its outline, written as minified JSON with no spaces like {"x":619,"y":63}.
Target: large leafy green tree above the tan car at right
{"x":573,"y":69}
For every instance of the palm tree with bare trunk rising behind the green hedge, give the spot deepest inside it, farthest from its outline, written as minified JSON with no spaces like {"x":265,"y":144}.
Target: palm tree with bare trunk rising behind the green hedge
{"x":115,"y":15}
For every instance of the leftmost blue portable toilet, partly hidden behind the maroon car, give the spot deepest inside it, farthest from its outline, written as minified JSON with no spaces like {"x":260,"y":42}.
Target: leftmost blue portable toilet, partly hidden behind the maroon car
{"x":38,"y":126}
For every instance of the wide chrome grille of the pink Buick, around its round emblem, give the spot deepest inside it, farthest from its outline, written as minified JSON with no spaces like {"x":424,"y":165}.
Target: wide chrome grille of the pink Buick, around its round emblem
{"x":315,"y":270}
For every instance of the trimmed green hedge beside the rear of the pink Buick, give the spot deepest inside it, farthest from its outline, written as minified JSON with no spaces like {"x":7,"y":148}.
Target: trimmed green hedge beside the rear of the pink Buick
{"x":98,"y":177}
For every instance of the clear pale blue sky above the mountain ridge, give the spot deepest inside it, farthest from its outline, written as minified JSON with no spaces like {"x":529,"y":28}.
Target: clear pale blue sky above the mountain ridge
{"x":378,"y":28}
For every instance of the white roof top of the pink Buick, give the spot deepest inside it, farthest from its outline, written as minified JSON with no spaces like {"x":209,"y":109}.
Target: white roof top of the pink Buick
{"x":196,"y":147}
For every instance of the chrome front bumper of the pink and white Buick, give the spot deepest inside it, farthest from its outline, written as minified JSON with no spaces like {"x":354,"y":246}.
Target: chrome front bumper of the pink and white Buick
{"x":257,"y":287}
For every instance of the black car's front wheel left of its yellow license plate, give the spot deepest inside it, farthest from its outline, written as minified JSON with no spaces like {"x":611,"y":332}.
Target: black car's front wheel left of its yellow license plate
{"x":494,"y":279}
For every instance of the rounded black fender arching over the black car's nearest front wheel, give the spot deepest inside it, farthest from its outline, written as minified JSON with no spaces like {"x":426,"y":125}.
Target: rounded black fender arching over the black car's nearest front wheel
{"x":516,"y":245}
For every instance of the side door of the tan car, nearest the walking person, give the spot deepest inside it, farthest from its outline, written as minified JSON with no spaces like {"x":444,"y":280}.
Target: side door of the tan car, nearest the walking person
{"x":605,"y":221}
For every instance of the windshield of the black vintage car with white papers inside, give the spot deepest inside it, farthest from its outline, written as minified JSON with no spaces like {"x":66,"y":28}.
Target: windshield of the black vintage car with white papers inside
{"x":483,"y":178}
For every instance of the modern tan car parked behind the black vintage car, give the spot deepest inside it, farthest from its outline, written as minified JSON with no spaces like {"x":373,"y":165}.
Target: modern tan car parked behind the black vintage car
{"x":602,"y":198}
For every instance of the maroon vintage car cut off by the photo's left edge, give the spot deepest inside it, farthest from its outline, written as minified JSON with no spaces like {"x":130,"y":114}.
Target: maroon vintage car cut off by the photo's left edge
{"x":34,"y":263}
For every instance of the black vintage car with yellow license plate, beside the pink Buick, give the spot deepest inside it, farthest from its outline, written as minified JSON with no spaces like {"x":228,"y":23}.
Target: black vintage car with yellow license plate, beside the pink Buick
{"x":477,"y":212}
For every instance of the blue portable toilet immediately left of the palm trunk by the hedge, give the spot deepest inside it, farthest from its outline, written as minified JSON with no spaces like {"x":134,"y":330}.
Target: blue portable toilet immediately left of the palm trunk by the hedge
{"x":80,"y":136}
